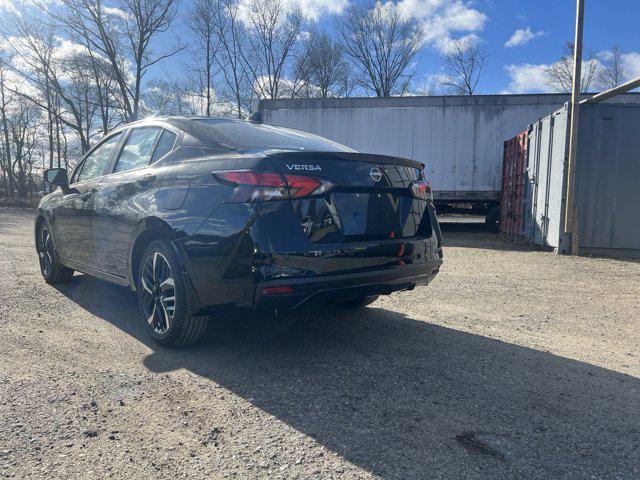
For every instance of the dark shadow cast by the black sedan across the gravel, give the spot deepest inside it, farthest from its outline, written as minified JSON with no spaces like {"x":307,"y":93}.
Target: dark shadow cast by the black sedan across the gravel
{"x":403,"y":398}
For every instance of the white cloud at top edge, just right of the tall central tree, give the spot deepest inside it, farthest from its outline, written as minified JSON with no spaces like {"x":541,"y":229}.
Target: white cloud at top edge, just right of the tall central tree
{"x":445,"y":20}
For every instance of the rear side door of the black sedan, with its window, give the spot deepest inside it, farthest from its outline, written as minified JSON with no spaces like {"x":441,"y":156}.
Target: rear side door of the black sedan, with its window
{"x":126,"y":194}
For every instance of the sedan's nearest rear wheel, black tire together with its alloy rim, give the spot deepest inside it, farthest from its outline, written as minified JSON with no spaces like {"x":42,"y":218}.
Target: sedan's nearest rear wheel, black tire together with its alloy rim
{"x":167,"y":317}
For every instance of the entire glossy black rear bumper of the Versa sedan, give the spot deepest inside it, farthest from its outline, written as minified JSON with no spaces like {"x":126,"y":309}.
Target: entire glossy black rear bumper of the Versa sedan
{"x":244,"y":249}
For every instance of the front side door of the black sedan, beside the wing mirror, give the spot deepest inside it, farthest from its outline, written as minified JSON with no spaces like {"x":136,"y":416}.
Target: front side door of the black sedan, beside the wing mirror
{"x":72,"y":215}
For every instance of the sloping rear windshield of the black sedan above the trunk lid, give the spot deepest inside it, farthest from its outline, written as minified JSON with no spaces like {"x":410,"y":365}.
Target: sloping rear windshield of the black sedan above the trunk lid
{"x":239,"y":135}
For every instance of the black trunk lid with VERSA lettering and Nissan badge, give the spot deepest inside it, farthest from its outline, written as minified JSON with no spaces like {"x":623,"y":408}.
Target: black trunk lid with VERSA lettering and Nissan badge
{"x":370,"y":197}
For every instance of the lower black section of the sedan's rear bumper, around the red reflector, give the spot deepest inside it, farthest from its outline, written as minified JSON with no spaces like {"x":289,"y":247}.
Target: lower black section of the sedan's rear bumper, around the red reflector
{"x":344,"y":286}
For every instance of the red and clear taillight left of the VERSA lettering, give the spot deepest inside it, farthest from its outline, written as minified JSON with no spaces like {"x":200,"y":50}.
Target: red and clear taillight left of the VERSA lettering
{"x":265,"y":186}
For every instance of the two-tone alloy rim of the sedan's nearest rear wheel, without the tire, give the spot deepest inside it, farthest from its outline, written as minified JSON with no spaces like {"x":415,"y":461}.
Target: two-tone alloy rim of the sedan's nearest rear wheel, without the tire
{"x":158,"y":292}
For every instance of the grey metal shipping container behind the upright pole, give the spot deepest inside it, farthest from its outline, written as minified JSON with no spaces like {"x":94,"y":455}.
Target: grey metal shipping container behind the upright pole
{"x":607,"y":195}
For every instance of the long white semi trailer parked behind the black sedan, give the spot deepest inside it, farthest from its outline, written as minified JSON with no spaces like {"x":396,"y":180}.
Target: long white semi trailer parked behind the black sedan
{"x":460,"y":139}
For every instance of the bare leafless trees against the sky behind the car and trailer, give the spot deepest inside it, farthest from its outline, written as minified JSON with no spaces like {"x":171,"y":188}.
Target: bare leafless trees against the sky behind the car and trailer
{"x":73,"y":70}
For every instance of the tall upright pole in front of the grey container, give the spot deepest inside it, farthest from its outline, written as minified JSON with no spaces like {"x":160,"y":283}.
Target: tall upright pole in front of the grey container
{"x":571,"y":212}
